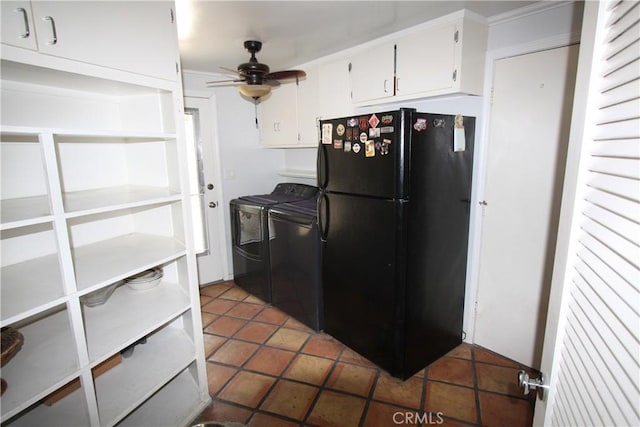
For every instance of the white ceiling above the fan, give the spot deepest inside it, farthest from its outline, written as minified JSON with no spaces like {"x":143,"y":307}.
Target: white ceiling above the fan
{"x":295,"y":32}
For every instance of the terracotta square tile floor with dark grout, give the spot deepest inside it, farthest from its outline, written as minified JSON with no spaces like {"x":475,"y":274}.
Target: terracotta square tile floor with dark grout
{"x":267,"y":369}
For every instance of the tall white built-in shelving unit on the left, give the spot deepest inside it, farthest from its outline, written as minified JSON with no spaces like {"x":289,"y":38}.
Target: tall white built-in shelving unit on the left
{"x":94,"y":189}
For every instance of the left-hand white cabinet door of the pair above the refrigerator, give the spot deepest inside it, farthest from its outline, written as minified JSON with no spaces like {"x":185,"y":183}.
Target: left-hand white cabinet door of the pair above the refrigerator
{"x":372,"y":74}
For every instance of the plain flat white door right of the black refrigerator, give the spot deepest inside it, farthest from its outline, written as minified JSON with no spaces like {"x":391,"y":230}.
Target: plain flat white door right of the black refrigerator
{"x":528,"y":135}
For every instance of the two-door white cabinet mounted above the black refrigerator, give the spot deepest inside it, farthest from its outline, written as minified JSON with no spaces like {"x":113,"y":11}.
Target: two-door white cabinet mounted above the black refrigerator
{"x":441,"y":57}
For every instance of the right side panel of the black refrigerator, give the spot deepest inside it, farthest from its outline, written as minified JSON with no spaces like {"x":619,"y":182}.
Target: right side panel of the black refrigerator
{"x":438,"y":230}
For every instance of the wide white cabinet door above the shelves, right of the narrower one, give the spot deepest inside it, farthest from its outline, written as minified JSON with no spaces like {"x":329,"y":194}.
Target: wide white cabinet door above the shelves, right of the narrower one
{"x":132,"y":36}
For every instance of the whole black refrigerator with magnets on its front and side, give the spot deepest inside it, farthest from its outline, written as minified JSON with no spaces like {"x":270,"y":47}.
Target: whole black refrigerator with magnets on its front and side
{"x":394,"y":224}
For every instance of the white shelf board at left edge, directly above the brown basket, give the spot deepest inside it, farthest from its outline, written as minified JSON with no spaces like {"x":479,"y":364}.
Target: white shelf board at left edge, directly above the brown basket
{"x":29,"y":287}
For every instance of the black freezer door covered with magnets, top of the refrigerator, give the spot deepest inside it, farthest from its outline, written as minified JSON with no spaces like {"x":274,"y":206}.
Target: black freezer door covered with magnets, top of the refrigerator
{"x":365,"y":155}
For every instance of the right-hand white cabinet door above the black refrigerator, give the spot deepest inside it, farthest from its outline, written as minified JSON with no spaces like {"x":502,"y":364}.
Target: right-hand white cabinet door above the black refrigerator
{"x":426,"y":60}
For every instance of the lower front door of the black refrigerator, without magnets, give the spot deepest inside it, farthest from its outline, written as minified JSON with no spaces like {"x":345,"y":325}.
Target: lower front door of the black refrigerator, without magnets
{"x":360,"y":270}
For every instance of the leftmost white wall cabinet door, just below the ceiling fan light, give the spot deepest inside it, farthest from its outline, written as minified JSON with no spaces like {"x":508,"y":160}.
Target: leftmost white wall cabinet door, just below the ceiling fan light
{"x":279,"y":126}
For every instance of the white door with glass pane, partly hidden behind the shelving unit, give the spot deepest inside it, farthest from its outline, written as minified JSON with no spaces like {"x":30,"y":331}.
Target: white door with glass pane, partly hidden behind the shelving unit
{"x":212,"y":259}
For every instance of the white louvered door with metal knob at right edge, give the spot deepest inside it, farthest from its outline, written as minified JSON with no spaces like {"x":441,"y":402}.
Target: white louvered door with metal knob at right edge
{"x":592,"y":349}
